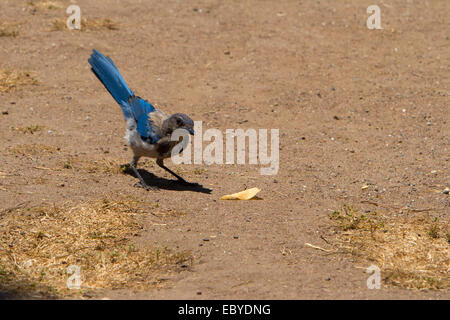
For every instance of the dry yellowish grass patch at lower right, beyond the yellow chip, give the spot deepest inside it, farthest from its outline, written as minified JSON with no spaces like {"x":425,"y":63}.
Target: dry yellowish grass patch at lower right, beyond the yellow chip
{"x":411,"y":251}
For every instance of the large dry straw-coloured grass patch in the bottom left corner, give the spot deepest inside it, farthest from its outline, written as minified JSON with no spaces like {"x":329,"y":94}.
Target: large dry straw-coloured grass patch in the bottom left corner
{"x":39,"y":244}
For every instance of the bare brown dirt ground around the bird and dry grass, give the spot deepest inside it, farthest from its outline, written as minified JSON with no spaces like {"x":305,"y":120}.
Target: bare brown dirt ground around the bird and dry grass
{"x":363,"y":118}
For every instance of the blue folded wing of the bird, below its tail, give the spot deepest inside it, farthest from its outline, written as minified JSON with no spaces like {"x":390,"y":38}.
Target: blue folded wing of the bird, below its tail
{"x":141,"y":111}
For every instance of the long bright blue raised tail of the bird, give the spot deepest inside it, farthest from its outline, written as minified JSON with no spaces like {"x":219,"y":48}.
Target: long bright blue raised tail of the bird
{"x":107,"y":72}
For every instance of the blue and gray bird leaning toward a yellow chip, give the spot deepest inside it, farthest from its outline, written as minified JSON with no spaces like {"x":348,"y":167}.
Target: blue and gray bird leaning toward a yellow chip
{"x":148,"y":129}
